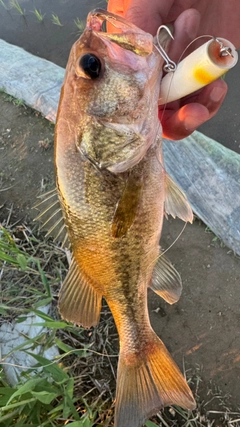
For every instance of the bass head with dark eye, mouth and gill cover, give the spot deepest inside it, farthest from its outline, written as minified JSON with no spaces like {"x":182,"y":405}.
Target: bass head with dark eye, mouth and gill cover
{"x":110,"y":92}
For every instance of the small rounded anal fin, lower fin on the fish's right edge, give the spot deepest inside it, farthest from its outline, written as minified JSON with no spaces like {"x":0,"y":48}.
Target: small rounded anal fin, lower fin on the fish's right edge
{"x":166,"y":281}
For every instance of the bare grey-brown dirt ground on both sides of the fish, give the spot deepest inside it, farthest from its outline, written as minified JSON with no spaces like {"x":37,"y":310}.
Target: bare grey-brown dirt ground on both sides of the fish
{"x":202,"y":329}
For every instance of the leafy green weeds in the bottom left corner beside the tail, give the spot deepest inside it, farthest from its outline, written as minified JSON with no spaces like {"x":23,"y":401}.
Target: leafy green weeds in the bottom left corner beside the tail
{"x":44,"y":399}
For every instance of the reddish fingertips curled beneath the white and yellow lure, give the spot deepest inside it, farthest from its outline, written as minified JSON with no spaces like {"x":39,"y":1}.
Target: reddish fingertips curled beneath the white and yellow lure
{"x":179,"y":124}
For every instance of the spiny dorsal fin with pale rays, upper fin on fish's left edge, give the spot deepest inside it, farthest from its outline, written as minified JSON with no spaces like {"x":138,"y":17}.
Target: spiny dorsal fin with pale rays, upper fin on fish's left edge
{"x":51,"y":217}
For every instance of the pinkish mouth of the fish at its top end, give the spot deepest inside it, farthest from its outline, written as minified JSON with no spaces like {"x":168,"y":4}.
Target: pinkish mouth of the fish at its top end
{"x":119,"y":31}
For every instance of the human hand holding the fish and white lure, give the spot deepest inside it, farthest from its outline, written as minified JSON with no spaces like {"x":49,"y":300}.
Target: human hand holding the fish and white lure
{"x":180,"y":118}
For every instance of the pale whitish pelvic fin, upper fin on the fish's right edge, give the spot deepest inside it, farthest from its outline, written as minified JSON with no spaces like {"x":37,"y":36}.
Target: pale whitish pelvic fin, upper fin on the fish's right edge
{"x":176,"y":203}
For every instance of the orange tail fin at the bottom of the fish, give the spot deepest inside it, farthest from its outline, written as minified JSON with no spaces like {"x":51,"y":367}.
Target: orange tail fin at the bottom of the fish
{"x":146,"y":383}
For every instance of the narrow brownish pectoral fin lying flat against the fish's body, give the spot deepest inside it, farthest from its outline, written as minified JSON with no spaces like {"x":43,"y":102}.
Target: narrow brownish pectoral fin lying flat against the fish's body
{"x":126,"y":208}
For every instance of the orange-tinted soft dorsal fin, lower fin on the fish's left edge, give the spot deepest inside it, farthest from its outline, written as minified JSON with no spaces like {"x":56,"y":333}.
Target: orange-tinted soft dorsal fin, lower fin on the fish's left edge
{"x":79,"y":302}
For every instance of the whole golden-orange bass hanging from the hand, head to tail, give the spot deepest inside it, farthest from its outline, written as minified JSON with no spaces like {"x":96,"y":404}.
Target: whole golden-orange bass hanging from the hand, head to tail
{"x":114,"y":193}
